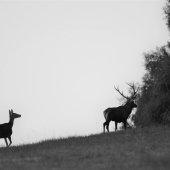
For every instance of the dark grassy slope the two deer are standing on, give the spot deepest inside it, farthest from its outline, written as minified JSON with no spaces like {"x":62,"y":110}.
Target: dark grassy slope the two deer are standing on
{"x":134,"y":149}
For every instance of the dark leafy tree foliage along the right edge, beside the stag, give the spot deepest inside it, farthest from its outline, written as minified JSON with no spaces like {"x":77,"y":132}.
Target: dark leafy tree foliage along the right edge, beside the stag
{"x":154,"y":99}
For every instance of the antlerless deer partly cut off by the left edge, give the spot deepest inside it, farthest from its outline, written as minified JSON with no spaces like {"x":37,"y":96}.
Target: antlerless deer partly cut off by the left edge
{"x":6,"y":128}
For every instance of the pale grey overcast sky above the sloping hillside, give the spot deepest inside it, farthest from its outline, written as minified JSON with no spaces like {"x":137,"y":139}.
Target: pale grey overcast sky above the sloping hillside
{"x":60,"y":60}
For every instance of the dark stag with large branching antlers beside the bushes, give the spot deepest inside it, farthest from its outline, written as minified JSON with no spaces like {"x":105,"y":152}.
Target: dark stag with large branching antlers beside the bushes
{"x":120,"y":114}
